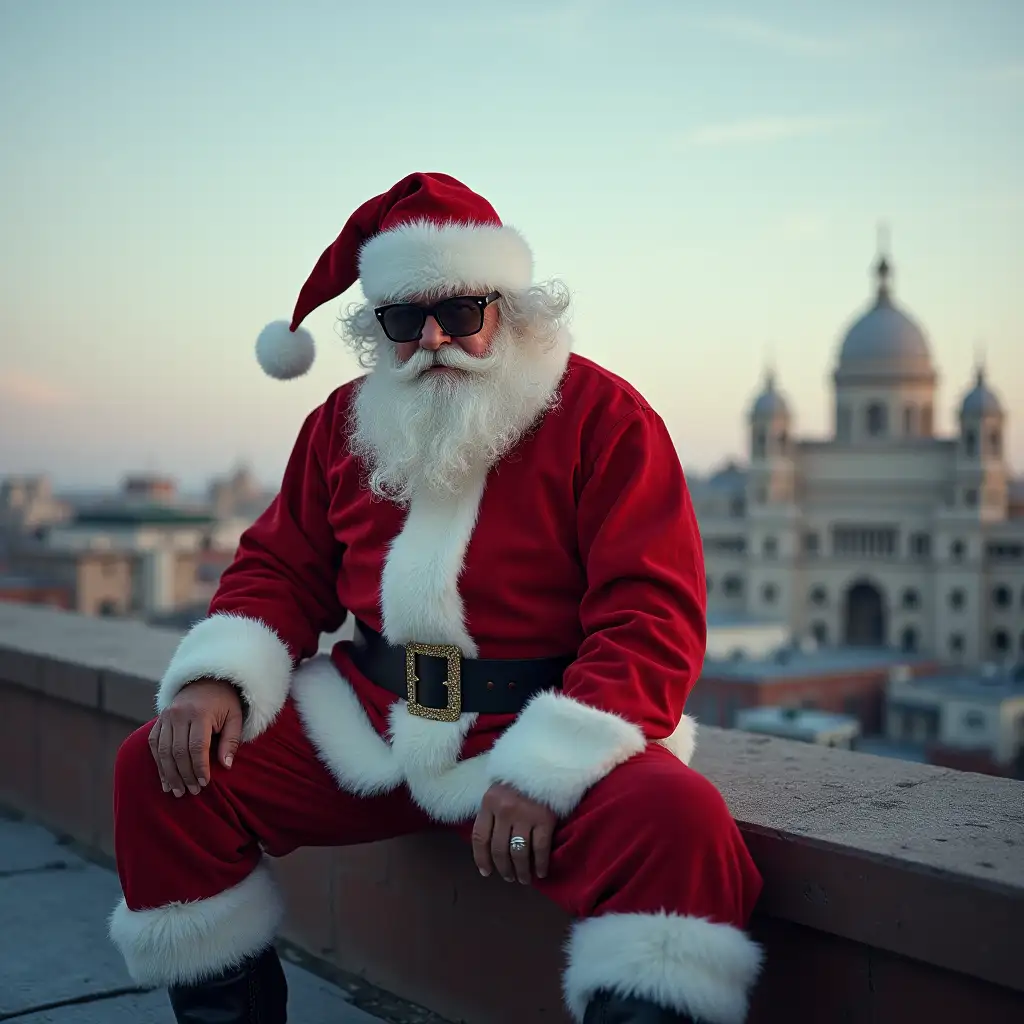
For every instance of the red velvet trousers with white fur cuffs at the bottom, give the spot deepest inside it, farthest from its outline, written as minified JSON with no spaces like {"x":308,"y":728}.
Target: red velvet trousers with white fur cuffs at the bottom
{"x":651,"y":856}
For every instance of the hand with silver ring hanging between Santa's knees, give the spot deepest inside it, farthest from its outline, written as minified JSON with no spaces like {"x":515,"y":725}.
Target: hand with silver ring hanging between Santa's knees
{"x":504,"y":814}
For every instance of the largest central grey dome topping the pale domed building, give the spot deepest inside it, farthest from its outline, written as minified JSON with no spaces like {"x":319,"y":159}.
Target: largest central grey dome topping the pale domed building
{"x":885,"y":342}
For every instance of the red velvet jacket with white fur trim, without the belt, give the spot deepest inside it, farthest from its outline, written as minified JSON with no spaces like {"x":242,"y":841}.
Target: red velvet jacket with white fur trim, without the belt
{"x":584,"y":539}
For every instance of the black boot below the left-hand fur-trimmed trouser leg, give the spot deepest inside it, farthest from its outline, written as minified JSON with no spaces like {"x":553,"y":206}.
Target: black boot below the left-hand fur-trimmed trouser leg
{"x":254,"y":993}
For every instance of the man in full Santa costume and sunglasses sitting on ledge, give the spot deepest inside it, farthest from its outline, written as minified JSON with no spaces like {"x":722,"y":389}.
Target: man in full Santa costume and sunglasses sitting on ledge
{"x":509,"y":528}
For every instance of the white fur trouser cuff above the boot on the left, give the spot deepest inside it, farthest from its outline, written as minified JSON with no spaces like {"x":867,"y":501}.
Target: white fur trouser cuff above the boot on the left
{"x":183,"y":944}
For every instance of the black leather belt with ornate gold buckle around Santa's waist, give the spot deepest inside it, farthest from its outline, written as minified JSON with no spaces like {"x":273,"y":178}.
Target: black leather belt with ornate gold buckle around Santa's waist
{"x":439,"y":684}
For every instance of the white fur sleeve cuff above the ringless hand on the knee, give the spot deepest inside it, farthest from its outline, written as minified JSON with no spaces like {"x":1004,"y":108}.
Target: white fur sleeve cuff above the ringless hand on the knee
{"x":241,"y":651}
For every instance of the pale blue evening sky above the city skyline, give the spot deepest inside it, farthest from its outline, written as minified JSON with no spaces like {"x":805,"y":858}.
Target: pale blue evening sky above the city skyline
{"x":707,"y":177}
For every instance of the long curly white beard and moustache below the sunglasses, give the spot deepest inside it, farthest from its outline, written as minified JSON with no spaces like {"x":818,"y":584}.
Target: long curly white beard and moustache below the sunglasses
{"x":433,"y":433}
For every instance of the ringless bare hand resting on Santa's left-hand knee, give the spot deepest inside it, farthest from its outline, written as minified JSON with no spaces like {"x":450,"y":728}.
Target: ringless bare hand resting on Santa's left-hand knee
{"x":181,"y":738}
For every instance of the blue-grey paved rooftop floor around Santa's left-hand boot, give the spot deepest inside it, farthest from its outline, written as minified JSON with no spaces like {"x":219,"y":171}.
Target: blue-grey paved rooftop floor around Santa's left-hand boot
{"x":61,"y":968}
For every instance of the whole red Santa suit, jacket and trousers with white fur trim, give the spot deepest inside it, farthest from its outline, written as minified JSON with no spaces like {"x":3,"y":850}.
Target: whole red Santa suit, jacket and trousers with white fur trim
{"x":582,"y":542}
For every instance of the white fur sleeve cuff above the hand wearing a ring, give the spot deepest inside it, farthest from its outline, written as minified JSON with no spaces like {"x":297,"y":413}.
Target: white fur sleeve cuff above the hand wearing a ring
{"x":559,"y":748}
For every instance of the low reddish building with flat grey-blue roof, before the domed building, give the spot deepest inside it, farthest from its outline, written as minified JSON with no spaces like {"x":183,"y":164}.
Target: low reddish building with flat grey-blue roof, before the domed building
{"x":846,"y":681}
